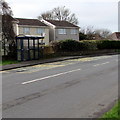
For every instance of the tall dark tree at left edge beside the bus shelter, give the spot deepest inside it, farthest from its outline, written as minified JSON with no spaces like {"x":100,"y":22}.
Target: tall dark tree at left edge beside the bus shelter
{"x":8,"y":35}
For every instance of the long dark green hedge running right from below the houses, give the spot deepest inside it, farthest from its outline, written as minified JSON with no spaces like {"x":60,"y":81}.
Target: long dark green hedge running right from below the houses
{"x":73,"y":45}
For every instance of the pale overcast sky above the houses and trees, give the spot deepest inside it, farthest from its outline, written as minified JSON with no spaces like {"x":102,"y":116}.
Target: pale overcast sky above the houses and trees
{"x":97,"y":13}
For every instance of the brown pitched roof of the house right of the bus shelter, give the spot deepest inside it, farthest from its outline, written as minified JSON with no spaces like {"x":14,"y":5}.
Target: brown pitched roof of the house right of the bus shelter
{"x":61,"y":23}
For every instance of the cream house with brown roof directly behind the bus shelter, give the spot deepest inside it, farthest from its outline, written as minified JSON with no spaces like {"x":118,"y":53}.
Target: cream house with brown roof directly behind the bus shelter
{"x":31,"y":27}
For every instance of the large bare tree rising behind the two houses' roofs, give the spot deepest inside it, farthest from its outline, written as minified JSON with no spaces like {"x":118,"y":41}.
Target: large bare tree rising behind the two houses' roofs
{"x":60,"y":13}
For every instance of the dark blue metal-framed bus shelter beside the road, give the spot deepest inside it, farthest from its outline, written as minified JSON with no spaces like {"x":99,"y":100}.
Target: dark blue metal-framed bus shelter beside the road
{"x":29,"y":47}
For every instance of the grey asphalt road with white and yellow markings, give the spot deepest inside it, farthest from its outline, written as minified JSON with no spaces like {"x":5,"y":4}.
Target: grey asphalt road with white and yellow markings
{"x":77,"y":88}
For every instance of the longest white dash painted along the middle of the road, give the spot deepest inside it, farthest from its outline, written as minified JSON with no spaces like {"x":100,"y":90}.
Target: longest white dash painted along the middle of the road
{"x":51,"y":76}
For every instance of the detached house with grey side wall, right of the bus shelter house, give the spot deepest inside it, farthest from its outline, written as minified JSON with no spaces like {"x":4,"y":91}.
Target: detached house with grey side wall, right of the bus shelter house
{"x":61,"y":30}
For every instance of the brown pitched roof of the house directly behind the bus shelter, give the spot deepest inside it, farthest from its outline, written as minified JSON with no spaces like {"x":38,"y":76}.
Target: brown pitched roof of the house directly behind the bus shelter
{"x":32,"y":22}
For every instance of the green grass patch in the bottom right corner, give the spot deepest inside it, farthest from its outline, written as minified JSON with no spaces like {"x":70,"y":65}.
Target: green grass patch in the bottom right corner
{"x":113,"y":113}
